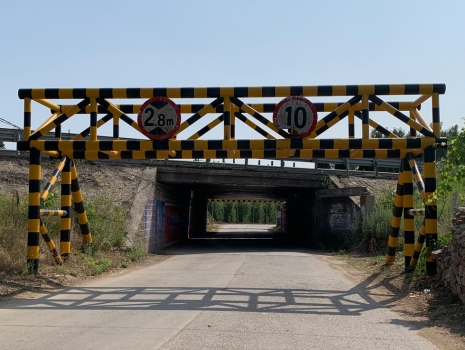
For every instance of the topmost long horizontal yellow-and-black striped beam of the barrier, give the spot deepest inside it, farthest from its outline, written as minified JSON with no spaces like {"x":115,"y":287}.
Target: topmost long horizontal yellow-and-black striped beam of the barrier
{"x":214,"y":92}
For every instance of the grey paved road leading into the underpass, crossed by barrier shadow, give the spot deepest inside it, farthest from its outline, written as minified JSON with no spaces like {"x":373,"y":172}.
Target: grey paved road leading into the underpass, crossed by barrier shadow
{"x":212,"y":294}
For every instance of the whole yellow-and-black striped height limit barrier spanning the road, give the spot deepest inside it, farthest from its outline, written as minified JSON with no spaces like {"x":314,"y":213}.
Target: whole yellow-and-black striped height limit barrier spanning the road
{"x":291,"y":128}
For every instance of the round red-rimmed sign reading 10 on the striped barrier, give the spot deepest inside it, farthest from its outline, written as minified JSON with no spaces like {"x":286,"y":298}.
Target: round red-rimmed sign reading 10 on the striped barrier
{"x":297,"y":114}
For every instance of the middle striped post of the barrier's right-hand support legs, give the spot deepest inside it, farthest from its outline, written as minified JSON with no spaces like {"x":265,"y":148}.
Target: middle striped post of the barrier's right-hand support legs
{"x":409,"y":220}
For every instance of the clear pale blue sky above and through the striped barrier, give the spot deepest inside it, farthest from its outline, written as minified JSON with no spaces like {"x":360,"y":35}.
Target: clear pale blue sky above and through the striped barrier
{"x":50,"y":44}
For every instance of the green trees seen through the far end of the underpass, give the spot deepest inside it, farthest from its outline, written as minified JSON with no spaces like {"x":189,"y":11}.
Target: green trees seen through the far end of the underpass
{"x":243,"y":212}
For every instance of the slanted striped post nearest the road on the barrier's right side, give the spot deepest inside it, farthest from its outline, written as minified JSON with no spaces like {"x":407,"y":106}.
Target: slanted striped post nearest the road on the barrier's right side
{"x":396,"y":217}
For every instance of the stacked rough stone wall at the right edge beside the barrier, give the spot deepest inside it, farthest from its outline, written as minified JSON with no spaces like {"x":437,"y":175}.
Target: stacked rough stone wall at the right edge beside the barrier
{"x":451,"y":259}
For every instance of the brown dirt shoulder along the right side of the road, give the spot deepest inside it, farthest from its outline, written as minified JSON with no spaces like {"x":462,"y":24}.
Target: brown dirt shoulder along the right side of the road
{"x":426,"y":304}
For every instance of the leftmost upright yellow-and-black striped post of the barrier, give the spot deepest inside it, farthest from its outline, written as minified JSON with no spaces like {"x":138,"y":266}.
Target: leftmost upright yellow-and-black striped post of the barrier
{"x":33,"y":224}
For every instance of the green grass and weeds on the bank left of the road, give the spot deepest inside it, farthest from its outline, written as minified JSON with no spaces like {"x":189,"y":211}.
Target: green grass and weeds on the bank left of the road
{"x":107,"y":222}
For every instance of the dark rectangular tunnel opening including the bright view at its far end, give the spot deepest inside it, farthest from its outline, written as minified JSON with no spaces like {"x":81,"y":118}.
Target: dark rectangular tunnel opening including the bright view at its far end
{"x":239,"y":207}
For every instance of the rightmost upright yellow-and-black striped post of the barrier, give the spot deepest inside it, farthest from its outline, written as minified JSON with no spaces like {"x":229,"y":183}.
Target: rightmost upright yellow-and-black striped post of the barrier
{"x":431,"y":224}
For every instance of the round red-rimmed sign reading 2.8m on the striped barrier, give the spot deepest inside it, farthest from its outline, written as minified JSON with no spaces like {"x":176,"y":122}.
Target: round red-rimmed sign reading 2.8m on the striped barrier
{"x":159,"y":118}
